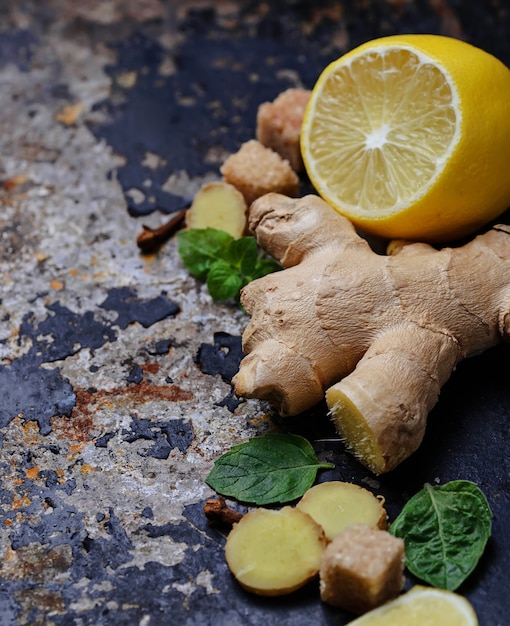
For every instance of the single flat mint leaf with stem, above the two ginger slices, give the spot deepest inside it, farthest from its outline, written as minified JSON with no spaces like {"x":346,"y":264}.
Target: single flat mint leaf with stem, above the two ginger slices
{"x":270,"y":469}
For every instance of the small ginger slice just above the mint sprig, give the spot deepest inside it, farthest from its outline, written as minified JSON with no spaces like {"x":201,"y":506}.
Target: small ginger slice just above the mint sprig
{"x":218,"y":205}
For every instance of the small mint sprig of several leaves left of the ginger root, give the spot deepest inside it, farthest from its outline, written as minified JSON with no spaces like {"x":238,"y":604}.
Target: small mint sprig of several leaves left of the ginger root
{"x":226,"y":264}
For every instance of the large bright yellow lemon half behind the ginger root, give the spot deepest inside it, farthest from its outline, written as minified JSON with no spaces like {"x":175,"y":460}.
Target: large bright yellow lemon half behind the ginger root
{"x":409,"y":137}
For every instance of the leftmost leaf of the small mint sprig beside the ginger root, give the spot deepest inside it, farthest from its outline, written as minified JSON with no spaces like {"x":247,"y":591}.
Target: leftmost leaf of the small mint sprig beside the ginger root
{"x":200,"y":248}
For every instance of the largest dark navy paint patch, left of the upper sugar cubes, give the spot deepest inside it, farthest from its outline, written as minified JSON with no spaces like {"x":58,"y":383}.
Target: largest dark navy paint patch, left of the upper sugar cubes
{"x":184,"y":117}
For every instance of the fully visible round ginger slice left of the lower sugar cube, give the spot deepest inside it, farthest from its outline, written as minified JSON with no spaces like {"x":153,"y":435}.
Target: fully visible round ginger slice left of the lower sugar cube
{"x":274,"y":552}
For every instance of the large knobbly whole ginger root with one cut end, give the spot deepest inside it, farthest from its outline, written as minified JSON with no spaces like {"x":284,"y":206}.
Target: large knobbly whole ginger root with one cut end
{"x":379,"y":335}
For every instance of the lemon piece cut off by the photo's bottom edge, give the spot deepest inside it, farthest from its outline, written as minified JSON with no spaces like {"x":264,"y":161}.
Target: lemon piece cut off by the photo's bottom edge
{"x":422,"y":606}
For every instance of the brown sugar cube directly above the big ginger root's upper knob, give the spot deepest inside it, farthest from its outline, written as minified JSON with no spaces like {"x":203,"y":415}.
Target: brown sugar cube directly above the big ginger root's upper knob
{"x":256,"y":170}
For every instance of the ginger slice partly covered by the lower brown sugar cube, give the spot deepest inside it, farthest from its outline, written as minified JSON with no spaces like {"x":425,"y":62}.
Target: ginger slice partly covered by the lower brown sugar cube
{"x":335,"y":505}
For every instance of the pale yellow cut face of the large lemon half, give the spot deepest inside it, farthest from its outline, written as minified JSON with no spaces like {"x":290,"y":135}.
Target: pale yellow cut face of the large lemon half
{"x":390,"y":142}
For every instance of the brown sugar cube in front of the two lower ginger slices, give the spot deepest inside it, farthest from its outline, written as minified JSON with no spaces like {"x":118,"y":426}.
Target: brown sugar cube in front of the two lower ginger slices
{"x":362,"y":568}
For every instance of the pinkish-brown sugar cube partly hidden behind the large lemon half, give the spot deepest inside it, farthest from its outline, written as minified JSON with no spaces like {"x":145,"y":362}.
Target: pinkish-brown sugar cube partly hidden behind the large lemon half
{"x":279,"y":125}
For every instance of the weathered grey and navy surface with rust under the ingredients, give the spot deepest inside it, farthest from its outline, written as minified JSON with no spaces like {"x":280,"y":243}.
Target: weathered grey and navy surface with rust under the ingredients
{"x":115,"y":367}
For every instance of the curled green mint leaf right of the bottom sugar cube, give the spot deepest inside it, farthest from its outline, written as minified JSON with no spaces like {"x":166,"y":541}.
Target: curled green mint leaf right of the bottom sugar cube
{"x":445,"y":530}
